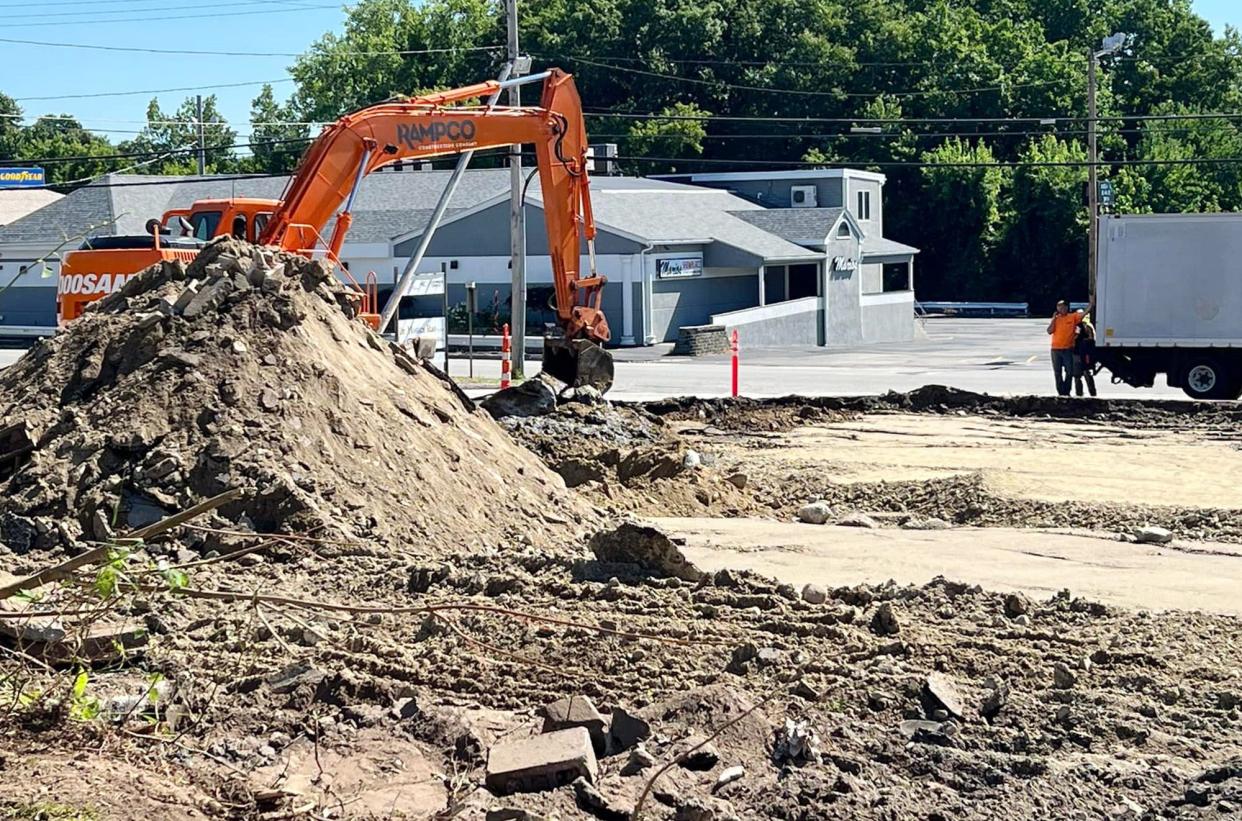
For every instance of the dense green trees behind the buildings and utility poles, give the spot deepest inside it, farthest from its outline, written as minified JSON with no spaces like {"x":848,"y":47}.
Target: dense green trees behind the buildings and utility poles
{"x":976,"y":110}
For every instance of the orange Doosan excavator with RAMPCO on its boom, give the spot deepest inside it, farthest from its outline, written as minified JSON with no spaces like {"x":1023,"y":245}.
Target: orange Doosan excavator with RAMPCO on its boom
{"x":327,"y":182}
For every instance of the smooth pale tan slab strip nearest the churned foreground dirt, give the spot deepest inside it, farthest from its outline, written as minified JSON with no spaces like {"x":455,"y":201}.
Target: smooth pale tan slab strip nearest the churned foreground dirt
{"x":1039,"y":563}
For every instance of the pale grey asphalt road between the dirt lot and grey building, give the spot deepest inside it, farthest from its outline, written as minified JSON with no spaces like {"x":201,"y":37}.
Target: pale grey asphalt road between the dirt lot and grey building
{"x":1004,"y":357}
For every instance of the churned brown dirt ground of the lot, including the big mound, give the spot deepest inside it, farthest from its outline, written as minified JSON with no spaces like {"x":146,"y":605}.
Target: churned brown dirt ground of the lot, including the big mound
{"x":319,"y":659}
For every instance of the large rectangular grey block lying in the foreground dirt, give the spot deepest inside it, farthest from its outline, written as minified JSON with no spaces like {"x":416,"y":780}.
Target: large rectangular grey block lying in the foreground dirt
{"x":541,"y":762}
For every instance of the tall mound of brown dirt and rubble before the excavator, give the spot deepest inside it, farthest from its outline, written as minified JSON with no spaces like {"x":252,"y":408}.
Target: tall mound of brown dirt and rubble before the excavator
{"x":249,"y":371}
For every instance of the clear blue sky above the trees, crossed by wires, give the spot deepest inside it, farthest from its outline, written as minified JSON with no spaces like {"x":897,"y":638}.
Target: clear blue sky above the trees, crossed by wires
{"x":248,"y":27}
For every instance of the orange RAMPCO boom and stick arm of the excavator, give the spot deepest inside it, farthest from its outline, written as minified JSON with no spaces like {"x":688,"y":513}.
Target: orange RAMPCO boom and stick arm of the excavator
{"x":437,"y":125}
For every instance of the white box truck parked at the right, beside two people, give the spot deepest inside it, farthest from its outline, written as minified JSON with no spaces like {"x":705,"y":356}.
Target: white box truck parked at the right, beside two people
{"x":1169,"y":301}
